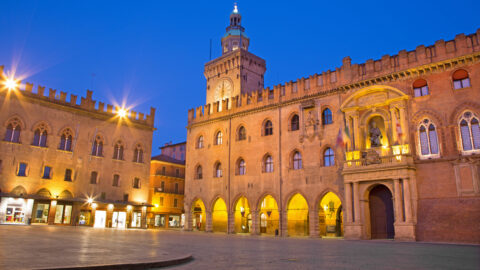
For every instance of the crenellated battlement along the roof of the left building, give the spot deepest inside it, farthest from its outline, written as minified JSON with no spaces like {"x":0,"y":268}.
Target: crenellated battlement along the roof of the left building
{"x":86,"y":103}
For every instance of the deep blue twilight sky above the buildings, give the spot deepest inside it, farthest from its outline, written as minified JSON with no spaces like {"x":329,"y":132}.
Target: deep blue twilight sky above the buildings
{"x":151,"y":53}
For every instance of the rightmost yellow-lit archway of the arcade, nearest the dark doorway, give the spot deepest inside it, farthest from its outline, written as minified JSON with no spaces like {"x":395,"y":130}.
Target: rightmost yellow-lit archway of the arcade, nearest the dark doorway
{"x":330,"y":216}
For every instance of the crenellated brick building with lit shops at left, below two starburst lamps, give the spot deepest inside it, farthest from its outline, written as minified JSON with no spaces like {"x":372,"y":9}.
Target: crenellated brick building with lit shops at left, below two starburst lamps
{"x":71,"y":161}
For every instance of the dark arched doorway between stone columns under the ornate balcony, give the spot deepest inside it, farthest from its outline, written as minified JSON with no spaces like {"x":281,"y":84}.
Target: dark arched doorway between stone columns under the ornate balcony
{"x":381,"y":213}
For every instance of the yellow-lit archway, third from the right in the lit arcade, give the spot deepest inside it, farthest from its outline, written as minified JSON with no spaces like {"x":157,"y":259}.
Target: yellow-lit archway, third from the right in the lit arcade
{"x":269,"y":216}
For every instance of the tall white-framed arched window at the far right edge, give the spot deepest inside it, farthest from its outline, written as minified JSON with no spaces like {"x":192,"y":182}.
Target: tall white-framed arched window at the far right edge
{"x":470,"y":132}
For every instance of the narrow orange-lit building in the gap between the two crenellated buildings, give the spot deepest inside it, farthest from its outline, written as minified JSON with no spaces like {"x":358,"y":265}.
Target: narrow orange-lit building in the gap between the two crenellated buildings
{"x":167,"y":184}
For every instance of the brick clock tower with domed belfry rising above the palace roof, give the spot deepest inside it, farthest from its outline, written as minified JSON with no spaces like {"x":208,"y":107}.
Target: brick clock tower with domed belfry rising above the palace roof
{"x":237,"y":71}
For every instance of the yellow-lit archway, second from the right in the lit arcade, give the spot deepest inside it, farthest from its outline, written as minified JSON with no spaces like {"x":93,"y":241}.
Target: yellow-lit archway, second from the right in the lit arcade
{"x":297,"y":216}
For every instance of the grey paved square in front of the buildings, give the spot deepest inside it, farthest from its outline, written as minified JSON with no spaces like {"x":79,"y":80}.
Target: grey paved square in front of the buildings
{"x":26,"y":247}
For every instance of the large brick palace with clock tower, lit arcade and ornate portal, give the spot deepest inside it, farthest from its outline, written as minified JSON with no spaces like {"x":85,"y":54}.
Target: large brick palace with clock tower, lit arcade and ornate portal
{"x":270,"y":160}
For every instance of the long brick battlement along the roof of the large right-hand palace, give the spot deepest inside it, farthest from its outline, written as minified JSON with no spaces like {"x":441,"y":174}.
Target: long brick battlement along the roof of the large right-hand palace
{"x":347,"y":74}
